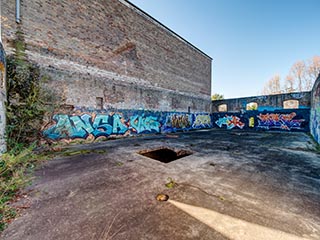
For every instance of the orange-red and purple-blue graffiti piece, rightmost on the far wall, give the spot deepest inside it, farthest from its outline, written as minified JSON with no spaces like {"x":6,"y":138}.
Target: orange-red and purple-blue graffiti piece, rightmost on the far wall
{"x":279,"y":121}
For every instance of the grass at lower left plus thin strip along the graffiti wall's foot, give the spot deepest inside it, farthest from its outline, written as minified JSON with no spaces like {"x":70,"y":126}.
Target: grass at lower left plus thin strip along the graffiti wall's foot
{"x":16,"y":172}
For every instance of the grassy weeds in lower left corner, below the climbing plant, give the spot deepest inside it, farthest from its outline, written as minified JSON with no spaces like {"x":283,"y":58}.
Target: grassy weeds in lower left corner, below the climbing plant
{"x":15,"y":173}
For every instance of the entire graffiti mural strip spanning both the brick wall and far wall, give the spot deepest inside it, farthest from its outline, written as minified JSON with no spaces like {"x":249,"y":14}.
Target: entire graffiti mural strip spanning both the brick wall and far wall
{"x":92,"y":125}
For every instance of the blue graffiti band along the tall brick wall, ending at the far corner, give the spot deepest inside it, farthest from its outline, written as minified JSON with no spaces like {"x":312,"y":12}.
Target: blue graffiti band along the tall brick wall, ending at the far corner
{"x":94,"y":125}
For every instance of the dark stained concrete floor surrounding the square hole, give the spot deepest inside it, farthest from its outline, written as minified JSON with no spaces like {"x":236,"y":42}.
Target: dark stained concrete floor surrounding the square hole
{"x":266,"y":178}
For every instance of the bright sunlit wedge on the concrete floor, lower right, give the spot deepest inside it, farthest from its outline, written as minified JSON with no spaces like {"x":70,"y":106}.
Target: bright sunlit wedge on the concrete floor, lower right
{"x":234,"y":228}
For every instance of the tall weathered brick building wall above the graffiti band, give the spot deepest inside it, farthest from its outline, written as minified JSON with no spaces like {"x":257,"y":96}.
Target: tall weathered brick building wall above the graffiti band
{"x":110,"y":50}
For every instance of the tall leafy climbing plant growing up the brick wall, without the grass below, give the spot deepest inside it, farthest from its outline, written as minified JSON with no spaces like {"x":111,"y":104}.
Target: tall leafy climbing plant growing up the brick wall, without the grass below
{"x":26,"y":99}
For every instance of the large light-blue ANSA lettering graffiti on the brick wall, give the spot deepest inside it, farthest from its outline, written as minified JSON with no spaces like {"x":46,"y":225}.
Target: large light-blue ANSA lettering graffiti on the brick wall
{"x":98,"y":125}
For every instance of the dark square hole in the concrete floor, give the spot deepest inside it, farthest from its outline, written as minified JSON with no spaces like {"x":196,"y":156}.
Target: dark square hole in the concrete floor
{"x":165,"y":155}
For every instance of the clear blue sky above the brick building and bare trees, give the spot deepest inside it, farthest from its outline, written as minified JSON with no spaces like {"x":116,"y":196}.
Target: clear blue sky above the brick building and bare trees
{"x":249,"y":40}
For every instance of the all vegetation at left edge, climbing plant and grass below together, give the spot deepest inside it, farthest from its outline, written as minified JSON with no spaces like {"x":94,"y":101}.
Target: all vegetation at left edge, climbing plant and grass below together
{"x":26,"y":107}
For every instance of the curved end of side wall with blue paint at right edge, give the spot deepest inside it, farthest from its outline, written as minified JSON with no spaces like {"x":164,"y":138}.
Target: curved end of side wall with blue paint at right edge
{"x":315,"y":111}
